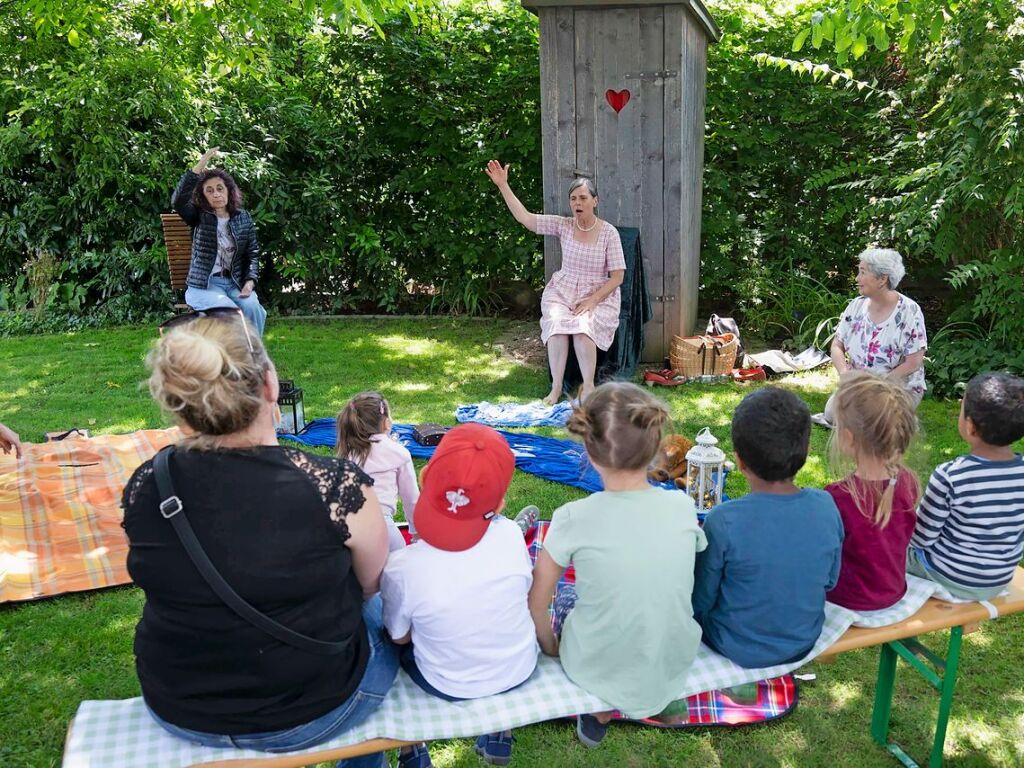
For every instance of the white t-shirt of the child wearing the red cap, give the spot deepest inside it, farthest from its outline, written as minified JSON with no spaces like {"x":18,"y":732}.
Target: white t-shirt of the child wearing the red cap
{"x":473,"y":632}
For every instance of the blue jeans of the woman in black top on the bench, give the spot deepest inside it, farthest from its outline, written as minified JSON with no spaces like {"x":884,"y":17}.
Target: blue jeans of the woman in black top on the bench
{"x":377,"y":680}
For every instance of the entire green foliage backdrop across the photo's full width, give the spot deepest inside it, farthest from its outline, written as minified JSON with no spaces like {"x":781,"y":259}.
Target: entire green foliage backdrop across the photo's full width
{"x":361,"y":156}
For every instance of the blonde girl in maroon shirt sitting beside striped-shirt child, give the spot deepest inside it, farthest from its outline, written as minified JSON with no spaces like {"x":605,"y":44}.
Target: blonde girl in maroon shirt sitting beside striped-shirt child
{"x":875,"y":422}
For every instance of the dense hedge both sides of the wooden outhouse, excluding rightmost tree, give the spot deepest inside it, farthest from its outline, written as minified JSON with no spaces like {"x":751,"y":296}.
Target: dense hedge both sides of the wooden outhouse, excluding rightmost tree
{"x":361,"y":158}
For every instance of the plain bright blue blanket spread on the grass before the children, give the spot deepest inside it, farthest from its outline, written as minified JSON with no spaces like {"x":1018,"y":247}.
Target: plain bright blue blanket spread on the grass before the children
{"x":560,"y":461}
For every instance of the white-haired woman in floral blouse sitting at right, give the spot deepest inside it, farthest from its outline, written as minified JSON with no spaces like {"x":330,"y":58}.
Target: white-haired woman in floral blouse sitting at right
{"x":882,"y":330}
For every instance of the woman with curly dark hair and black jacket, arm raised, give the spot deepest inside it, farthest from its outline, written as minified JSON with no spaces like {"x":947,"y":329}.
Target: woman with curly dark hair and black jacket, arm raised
{"x":225,"y":266}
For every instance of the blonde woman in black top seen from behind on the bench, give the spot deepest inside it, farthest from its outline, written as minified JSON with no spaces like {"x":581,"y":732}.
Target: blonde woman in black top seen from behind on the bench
{"x":300,"y":537}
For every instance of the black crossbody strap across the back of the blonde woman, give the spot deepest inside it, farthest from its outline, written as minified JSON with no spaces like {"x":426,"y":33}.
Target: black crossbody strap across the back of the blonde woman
{"x":172,"y":509}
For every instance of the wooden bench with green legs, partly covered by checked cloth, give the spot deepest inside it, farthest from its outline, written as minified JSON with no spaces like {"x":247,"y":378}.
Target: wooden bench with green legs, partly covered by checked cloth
{"x":898,"y":642}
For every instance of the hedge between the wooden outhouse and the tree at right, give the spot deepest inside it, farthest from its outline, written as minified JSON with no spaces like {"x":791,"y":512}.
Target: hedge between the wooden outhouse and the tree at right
{"x":777,"y":248}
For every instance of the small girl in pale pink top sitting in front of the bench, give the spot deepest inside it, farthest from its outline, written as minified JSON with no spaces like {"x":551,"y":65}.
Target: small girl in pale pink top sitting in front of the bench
{"x":365,"y":438}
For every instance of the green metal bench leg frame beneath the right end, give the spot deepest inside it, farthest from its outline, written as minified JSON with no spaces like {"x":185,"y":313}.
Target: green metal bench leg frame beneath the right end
{"x":916,"y":656}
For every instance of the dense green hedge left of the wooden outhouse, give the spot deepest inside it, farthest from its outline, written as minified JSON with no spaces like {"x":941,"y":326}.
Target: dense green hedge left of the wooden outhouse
{"x":361,"y":157}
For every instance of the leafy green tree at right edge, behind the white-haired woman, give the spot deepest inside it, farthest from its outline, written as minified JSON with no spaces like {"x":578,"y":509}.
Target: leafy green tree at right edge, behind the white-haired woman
{"x":950,"y":190}
